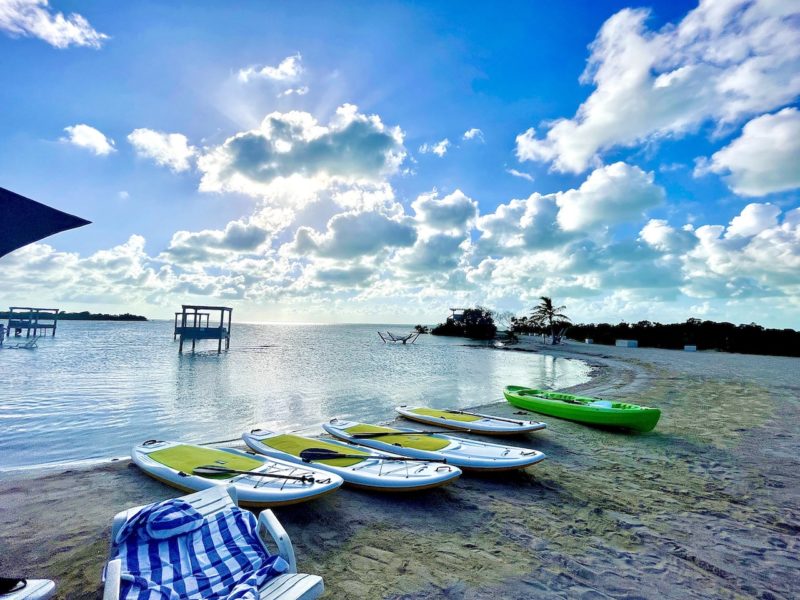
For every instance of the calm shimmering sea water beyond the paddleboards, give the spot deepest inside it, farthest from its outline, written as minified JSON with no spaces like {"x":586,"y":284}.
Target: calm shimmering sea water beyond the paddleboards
{"x":97,"y":388}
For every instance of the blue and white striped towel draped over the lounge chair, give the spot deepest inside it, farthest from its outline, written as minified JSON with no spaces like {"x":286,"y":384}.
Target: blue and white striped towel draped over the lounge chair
{"x":170,"y":551}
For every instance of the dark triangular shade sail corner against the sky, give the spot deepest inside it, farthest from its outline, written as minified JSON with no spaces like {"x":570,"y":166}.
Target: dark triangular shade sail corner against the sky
{"x":24,"y":221}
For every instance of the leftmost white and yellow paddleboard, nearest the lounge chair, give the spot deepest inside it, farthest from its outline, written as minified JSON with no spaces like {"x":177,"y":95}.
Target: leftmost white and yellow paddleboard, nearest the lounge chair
{"x":158,"y":460}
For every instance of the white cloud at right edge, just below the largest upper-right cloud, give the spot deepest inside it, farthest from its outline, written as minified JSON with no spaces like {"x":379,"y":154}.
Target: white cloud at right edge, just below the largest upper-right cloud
{"x":764,"y":159}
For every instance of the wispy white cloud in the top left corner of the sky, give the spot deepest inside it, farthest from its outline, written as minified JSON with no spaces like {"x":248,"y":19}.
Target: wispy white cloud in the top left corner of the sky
{"x":34,"y":18}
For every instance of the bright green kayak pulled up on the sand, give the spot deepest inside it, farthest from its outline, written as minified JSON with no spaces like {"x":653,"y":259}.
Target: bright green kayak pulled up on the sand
{"x":583,"y":409}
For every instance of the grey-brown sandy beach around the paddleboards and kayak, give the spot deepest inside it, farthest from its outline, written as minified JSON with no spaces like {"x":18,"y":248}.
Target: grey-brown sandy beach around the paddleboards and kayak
{"x":707,"y":505}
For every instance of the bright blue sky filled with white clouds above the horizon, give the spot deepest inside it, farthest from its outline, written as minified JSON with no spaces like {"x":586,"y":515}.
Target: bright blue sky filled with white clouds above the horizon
{"x":312,"y":162}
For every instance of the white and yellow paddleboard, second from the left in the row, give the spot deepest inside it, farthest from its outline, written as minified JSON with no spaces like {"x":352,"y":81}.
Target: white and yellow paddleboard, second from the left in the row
{"x":367,"y":474}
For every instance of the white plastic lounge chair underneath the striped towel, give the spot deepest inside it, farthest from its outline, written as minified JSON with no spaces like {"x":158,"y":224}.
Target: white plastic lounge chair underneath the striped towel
{"x":288,"y":586}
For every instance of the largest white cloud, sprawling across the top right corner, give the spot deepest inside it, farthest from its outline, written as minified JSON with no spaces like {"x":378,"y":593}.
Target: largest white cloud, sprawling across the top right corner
{"x":723,"y":62}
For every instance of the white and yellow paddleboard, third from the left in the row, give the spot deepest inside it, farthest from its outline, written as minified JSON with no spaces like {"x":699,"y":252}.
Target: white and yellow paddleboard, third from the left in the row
{"x":466,"y":454}
